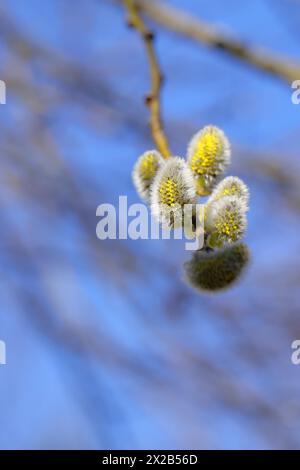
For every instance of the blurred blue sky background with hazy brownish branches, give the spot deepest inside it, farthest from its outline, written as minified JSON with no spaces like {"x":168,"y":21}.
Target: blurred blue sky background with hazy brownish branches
{"x":107,"y":347}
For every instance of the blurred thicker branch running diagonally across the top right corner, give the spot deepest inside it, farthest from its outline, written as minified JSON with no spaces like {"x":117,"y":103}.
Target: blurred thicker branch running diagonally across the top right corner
{"x":182,"y":23}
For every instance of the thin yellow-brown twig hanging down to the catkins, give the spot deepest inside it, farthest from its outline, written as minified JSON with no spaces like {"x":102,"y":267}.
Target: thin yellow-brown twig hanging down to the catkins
{"x":153,"y":98}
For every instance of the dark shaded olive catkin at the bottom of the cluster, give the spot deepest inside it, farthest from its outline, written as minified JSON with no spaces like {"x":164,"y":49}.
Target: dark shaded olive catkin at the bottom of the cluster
{"x":216,"y":270}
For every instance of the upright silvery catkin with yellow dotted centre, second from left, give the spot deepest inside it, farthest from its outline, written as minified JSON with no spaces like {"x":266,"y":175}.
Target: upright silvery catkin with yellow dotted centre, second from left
{"x":172,"y":188}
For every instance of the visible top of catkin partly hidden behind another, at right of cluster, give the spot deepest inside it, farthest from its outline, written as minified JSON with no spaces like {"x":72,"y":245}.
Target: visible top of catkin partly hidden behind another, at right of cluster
{"x":230,"y":186}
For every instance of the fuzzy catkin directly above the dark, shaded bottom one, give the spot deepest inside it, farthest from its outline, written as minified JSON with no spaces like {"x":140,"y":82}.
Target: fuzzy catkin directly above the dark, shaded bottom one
{"x":225,"y":221}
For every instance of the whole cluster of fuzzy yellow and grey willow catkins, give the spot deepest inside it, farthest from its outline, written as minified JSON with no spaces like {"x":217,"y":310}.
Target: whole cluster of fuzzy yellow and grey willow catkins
{"x":174,"y":182}
